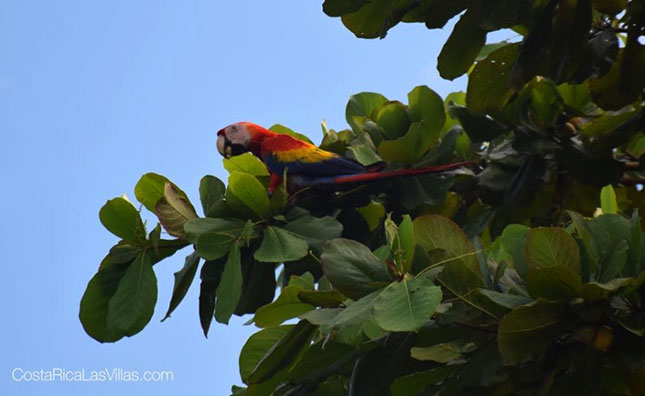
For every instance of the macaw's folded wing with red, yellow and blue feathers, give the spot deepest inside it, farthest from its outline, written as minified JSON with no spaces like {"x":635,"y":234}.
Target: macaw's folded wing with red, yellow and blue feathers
{"x":300,"y":157}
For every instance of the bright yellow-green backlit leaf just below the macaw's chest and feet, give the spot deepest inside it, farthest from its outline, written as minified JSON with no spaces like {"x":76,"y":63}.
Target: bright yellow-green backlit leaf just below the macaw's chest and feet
{"x":250,"y":192}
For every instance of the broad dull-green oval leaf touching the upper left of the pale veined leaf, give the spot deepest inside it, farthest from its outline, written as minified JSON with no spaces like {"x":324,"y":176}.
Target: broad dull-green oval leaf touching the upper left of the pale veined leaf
{"x":352,"y":268}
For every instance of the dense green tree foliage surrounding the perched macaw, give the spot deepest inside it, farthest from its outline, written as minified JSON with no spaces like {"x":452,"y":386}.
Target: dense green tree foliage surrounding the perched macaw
{"x":522,"y":275}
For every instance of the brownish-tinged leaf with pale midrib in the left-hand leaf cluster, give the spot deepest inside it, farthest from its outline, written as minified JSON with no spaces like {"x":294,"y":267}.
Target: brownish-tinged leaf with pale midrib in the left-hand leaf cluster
{"x":173,"y":211}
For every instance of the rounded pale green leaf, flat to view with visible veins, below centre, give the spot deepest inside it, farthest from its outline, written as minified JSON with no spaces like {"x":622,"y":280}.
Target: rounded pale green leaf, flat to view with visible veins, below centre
{"x":407,"y":305}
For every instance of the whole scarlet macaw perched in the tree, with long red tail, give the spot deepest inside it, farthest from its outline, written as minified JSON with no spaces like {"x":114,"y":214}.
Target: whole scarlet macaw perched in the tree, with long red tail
{"x":305,"y":164}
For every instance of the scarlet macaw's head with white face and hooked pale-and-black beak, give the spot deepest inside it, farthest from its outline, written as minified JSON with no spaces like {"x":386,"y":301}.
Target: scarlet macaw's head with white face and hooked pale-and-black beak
{"x":239,"y":138}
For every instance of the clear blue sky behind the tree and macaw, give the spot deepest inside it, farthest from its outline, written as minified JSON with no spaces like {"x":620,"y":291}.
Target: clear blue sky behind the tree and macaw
{"x":94,"y":94}
